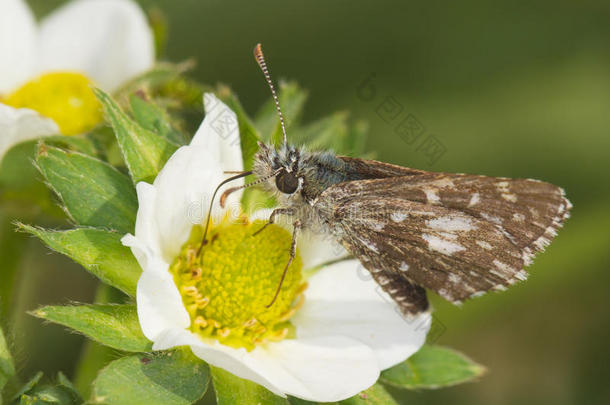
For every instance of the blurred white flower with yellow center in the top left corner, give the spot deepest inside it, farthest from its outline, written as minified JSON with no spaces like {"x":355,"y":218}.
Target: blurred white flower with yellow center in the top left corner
{"x":47,"y":68}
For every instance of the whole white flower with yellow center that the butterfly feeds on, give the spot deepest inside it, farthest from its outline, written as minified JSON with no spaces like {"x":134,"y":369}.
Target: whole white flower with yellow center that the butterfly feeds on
{"x":325,"y":339}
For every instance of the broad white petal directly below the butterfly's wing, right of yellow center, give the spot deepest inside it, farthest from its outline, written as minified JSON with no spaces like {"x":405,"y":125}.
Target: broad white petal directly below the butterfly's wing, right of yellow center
{"x":344,"y":300}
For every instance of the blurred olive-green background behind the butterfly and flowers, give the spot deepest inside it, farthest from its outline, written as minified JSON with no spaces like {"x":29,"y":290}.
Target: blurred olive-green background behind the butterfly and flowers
{"x":509,"y":88}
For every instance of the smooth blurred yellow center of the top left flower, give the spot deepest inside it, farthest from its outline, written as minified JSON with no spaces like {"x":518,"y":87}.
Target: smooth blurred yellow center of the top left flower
{"x":64,"y":97}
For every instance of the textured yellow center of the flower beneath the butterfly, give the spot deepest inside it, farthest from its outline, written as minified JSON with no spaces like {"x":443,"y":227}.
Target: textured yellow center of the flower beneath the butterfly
{"x":227,"y":287}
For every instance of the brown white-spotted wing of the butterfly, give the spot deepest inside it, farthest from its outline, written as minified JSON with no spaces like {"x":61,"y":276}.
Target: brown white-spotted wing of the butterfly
{"x":458,"y":235}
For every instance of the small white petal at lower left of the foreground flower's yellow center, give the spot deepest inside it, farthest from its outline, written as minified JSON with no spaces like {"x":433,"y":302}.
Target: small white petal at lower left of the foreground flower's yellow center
{"x":159,"y":303}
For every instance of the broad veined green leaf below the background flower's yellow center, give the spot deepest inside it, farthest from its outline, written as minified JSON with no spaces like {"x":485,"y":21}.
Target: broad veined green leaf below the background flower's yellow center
{"x":92,"y":192}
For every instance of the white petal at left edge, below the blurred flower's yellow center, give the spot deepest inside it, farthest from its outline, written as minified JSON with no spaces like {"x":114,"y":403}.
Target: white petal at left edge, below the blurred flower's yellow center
{"x":22,"y":124}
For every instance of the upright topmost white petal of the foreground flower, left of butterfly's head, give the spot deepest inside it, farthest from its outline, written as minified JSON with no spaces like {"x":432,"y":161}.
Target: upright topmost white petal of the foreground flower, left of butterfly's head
{"x":219,"y":134}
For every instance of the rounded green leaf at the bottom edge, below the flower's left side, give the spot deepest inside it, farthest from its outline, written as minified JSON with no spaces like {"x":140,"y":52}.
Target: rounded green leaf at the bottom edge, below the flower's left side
{"x":166,"y":378}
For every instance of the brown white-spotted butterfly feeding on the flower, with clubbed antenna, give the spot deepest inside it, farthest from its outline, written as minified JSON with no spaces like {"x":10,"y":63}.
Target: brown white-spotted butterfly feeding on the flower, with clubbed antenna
{"x":458,"y":235}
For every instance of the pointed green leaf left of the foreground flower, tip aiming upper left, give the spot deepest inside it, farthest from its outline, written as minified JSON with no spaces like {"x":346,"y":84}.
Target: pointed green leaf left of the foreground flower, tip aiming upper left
{"x":98,"y":250}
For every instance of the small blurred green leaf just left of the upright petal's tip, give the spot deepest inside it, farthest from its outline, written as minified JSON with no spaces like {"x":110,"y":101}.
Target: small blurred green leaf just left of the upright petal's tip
{"x":154,"y":118}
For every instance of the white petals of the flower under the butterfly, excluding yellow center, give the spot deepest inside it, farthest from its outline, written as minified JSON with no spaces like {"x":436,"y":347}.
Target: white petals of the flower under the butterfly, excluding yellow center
{"x":346,"y":331}
